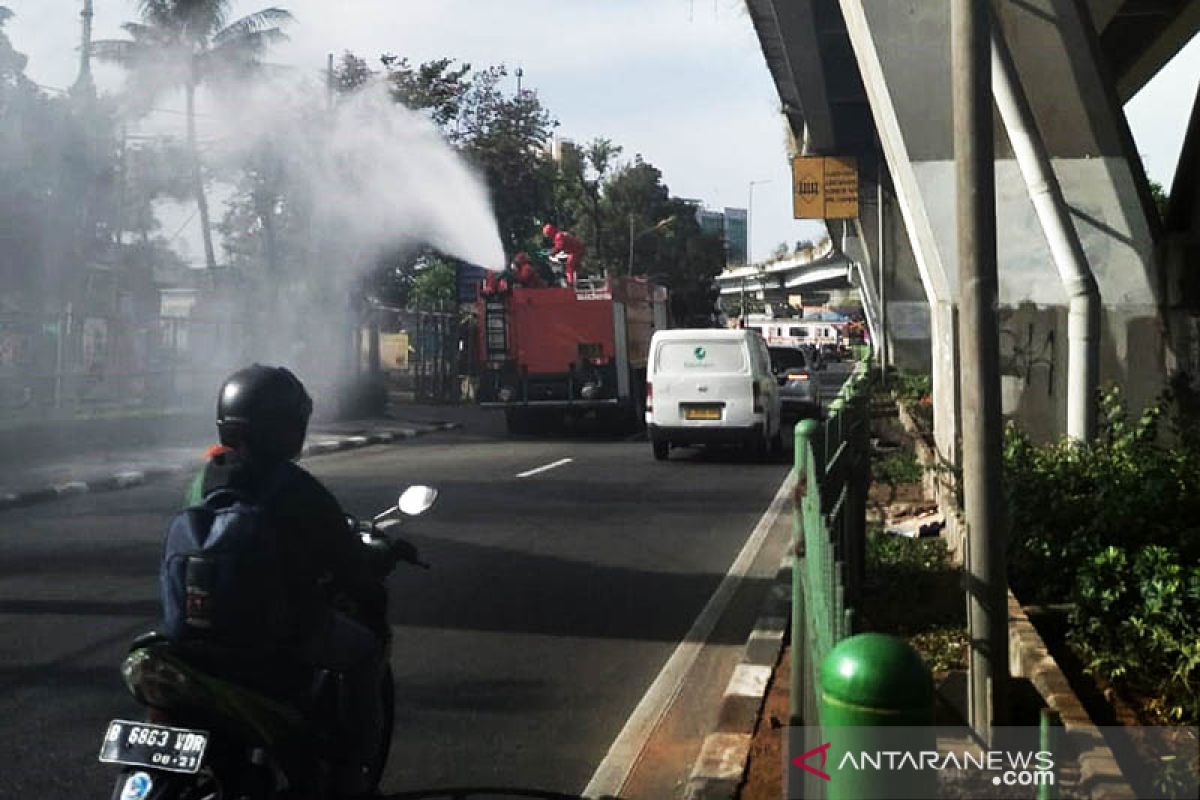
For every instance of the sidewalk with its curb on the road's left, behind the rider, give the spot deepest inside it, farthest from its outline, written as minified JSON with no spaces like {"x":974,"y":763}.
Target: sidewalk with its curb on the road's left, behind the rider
{"x":47,"y":461}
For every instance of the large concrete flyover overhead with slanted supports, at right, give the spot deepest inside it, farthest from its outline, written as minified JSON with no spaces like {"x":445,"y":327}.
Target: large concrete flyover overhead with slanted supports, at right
{"x":873,"y":80}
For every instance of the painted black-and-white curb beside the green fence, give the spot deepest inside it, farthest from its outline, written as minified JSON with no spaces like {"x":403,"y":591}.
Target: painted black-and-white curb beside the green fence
{"x":722,"y":765}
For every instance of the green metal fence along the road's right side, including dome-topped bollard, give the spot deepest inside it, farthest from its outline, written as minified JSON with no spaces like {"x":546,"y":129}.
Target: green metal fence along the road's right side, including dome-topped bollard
{"x":842,"y":682}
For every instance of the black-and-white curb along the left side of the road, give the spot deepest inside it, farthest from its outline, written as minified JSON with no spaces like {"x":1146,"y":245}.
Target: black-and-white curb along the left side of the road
{"x":129,"y":479}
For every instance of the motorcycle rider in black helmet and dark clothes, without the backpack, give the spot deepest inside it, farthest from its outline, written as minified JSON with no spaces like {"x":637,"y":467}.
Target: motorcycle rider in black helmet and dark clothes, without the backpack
{"x":262,"y":420}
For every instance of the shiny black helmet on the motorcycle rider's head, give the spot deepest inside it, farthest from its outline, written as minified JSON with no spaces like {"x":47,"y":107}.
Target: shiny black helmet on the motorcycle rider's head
{"x":265,"y":411}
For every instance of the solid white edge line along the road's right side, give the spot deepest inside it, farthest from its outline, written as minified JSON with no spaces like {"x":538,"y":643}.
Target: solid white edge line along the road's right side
{"x":610,"y":778}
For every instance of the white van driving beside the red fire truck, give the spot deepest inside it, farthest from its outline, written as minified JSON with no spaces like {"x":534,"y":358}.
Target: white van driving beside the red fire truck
{"x":711,"y":387}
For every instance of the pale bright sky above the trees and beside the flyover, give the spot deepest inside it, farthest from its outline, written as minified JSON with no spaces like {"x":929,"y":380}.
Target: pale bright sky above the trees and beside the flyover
{"x":681,"y":82}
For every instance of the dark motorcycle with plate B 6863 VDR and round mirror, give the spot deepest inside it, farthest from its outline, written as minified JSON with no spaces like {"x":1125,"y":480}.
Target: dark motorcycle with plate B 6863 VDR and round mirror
{"x":220,"y":726}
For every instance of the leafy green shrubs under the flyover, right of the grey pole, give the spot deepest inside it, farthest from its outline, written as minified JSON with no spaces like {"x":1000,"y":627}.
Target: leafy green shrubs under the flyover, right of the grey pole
{"x":1125,"y":513}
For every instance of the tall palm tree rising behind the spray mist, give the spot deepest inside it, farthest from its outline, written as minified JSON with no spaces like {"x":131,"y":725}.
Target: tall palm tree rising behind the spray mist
{"x":183,"y":44}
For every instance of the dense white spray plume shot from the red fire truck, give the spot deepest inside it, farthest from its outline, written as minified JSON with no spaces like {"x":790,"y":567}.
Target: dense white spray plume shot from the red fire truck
{"x":379,"y":179}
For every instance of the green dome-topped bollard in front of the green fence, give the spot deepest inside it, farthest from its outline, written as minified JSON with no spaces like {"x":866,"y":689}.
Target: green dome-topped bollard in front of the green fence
{"x":872,"y":682}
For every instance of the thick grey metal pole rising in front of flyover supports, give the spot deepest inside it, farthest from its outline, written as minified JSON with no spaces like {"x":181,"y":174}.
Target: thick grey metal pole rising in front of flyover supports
{"x":980,"y":359}
